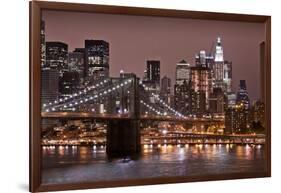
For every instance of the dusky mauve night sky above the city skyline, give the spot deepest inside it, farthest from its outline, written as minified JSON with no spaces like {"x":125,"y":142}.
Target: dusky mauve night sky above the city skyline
{"x":135,"y":39}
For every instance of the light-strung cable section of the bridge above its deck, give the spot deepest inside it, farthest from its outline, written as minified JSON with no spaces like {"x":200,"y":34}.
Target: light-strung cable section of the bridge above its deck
{"x":129,"y":92}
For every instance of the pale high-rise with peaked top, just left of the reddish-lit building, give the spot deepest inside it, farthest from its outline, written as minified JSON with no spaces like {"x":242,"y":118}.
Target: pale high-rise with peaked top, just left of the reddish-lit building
{"x":182,"y":72}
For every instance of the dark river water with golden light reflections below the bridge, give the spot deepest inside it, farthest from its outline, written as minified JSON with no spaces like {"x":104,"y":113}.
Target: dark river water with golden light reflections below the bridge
{"x":68,"y":164}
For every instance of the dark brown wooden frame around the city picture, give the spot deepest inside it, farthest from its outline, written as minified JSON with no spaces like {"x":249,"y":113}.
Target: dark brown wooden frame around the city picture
{"x":36,"y":8}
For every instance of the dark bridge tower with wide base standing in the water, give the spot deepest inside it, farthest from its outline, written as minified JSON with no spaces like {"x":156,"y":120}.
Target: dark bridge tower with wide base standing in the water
{"x":123,"y":135}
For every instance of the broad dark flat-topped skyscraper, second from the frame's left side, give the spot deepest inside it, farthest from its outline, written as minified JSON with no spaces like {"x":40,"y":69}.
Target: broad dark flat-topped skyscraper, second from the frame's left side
{"x":56,"y":56}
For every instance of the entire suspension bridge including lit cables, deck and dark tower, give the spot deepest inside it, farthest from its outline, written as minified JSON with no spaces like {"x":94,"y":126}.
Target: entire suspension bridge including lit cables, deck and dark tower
{"x":123,"y":103}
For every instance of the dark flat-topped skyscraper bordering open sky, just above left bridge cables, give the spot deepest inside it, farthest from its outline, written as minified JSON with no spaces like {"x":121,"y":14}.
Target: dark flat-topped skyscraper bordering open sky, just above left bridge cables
{"x":96,"y":59}
